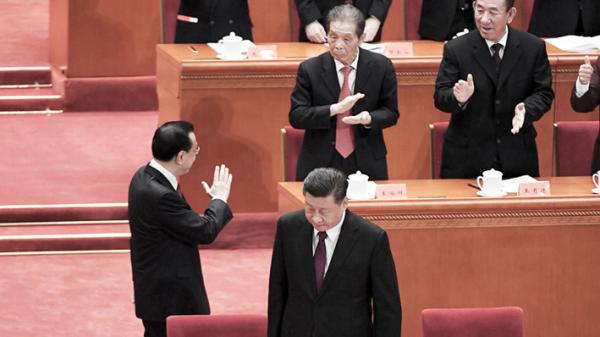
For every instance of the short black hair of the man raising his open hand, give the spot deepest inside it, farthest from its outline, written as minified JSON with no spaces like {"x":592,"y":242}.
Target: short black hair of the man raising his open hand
{"x":170,"y":138}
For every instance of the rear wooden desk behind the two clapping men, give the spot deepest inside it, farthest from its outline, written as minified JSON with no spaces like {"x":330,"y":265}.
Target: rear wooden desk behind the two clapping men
{"x":239,"y":107}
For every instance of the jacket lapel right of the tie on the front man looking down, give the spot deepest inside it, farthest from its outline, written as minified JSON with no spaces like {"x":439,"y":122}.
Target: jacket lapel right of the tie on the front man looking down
{"x":343,"y":248}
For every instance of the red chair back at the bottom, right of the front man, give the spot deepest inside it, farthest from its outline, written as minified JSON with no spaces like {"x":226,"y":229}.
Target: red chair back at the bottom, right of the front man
{"x":473,"y":322}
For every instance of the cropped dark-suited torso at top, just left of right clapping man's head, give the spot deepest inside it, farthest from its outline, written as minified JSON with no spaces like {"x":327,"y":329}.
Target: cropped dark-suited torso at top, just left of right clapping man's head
{"x":442,"y":20}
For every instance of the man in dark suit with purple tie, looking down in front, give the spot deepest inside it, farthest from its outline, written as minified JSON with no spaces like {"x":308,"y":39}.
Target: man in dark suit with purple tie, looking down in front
{"x":332,"y":272}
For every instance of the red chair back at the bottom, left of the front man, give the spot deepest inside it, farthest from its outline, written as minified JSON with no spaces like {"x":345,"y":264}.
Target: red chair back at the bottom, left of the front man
{"x":217,"y":326}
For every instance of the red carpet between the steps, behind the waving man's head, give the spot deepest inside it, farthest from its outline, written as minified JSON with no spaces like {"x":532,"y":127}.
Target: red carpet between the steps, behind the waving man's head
{"x":74,"y":157}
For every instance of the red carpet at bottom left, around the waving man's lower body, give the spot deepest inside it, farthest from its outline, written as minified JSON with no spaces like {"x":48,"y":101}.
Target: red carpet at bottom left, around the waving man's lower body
{"x":90,"y":294}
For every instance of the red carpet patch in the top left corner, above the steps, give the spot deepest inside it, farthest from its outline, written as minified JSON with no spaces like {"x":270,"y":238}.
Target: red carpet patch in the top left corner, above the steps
{"x":24,"y":37}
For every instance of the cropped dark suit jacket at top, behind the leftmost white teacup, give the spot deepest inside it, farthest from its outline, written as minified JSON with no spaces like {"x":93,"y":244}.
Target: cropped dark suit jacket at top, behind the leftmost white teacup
{"x":216,"y":18}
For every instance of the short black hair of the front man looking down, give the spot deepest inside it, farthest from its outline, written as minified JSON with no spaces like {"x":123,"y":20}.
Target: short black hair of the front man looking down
{"x":323,"y":182}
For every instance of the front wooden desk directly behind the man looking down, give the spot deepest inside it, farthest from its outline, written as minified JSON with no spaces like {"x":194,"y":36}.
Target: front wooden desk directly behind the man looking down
{"x":464,"y":251}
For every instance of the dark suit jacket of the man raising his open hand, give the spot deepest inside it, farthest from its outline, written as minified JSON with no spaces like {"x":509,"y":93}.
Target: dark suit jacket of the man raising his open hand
{"x":165,"y":233}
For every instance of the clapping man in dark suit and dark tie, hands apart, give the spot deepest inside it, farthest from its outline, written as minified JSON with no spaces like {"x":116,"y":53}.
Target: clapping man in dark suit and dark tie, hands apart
{"x":495,"y":81}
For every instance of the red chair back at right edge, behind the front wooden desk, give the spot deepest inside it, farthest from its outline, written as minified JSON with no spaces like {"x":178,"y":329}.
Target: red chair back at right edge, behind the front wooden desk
{"x":574,"y":147}
